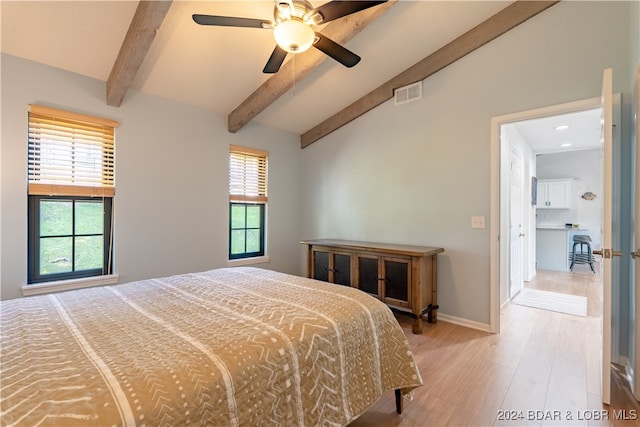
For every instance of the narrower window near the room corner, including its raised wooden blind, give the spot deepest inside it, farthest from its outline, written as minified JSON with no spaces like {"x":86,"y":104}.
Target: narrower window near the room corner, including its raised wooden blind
{"x":247,"y":202}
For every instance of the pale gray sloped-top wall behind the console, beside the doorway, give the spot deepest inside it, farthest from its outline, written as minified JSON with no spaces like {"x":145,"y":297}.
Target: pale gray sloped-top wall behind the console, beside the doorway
{"x":416,"y":173}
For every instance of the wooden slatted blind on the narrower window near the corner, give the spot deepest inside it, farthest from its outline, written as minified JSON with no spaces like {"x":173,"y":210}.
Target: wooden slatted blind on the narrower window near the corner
{"x":247,"y":174}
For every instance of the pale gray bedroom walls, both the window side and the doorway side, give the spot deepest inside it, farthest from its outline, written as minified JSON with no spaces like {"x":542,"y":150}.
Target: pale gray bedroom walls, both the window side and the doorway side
{"x":409,"y":174}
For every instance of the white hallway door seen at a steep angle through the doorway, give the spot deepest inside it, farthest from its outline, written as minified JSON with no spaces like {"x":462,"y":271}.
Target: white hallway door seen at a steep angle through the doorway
{"x":515,"y":225}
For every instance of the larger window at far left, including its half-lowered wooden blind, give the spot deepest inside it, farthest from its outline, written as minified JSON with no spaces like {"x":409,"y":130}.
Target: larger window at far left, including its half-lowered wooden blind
{"x":71,"y":188}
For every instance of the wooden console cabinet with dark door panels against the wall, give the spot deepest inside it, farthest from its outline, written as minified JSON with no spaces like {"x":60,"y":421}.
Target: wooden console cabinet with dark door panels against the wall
{"x":402,"y":276}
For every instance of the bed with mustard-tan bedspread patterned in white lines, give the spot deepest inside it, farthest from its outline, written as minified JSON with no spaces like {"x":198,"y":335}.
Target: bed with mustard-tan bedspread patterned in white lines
{"x":233,"y":346}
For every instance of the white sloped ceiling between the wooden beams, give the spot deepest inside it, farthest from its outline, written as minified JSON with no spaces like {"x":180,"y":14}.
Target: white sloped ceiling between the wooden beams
{"x":217,"y":68}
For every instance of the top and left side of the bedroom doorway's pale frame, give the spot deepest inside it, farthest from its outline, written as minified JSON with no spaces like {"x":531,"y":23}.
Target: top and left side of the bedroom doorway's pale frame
{"x":499,"y":210}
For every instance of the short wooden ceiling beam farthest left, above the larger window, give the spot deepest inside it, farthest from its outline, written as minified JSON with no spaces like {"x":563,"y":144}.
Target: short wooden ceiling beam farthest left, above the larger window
{"x":142,"y":30}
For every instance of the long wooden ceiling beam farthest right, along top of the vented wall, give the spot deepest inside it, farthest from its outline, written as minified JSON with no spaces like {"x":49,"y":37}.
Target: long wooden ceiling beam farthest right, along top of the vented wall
{"x":503,"y":21}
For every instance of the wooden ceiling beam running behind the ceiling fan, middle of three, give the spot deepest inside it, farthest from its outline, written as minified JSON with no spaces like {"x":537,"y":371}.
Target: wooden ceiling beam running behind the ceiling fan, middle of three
{"x":341,"y":31}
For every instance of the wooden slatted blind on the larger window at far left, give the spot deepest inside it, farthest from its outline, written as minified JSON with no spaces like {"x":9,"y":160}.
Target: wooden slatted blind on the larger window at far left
{"x":70,"y":154}
